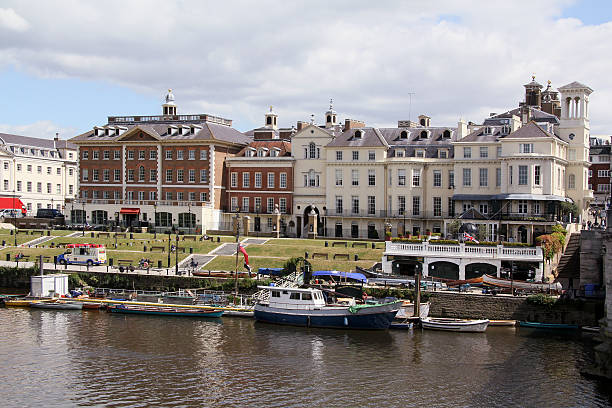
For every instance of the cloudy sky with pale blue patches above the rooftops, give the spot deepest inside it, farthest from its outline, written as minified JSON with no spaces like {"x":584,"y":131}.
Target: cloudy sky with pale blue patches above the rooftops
{"x":67,"y":65}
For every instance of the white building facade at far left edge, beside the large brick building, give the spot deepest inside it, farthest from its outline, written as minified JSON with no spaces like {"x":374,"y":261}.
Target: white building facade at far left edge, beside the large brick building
{"x":42,"y":173}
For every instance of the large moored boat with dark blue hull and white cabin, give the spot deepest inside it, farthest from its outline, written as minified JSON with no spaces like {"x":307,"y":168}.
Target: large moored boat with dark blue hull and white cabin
{"x":307,"y":308}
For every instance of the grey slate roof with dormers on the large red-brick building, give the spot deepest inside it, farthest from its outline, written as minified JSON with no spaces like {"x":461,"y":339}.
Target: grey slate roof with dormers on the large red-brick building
{"x":209,"y":131}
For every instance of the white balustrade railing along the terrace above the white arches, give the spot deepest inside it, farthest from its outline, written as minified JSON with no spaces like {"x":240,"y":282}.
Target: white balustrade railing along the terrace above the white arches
{"x":462,"y":250}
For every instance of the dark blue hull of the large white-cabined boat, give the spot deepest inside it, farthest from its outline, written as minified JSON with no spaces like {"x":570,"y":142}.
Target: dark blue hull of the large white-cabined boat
{"x":371,"y":318}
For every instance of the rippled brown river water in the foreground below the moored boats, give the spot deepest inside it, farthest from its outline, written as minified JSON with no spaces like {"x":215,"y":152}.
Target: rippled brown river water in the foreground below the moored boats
{"x":71,"y":358}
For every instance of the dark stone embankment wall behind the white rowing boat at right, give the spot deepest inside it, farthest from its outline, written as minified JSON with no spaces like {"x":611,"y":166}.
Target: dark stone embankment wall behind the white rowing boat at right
{"x":476,"y":306}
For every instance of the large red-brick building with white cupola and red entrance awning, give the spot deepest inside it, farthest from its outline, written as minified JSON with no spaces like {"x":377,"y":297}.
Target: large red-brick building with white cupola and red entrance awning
{"x":161,"y":171}
